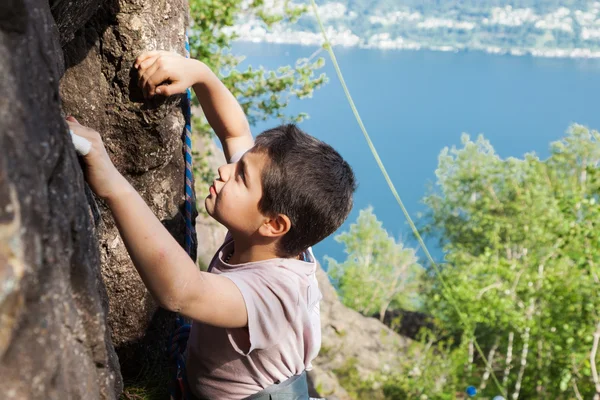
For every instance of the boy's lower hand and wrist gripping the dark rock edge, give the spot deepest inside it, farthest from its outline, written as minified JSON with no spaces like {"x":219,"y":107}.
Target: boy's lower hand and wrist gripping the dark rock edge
{"x":100,"y":173}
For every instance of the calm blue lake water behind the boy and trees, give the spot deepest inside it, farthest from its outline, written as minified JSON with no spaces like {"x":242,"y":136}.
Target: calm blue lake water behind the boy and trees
{"x":416,"y":103}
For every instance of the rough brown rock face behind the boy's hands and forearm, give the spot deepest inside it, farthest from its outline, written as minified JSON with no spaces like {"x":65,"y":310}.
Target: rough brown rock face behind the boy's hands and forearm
{"x":144,"y":141}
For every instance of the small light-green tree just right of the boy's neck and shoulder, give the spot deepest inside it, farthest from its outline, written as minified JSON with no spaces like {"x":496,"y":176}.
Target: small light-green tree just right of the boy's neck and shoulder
{"x":378,"y":273}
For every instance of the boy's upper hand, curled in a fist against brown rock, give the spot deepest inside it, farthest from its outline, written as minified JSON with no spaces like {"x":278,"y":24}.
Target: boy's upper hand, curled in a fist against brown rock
{"x":166,"y":73}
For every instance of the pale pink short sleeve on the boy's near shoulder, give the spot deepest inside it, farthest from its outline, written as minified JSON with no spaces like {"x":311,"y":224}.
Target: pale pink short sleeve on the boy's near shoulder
{"x":272,"y":303}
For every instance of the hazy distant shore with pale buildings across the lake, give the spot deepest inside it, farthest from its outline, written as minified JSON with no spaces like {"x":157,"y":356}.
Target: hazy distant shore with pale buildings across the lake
{"x":558,"y":33}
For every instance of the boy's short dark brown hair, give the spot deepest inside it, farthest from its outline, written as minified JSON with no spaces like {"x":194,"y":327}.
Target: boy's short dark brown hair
{"x":308,"y":181}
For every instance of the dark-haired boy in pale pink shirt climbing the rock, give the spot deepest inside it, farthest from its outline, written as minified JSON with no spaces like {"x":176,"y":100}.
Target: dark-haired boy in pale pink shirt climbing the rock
{"x":256,"y":320}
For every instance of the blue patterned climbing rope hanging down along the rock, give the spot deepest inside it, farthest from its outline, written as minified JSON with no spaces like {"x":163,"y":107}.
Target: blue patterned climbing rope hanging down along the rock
{"x":179,"y":338}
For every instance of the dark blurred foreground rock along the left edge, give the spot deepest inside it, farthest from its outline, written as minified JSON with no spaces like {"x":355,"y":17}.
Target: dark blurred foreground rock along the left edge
{"x":54,"y":343}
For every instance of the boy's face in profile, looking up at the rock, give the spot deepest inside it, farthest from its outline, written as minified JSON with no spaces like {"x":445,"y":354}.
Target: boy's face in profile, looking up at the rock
{"x":234,"y":196}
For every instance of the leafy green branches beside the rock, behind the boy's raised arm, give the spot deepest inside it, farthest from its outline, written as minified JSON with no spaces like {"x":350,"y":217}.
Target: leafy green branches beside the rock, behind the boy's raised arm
{"x":263,"y":94}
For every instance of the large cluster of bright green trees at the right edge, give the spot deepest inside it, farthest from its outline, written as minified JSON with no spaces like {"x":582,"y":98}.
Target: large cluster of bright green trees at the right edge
{"x":522,"y":250}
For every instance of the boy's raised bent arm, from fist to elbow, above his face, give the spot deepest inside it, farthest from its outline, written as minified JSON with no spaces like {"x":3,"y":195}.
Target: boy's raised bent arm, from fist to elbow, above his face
{"x":167,"y":73}
